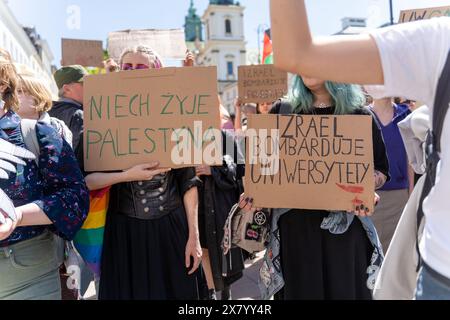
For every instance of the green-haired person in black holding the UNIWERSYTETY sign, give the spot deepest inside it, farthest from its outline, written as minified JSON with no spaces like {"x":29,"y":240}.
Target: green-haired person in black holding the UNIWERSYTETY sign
{"x":318,"y":254}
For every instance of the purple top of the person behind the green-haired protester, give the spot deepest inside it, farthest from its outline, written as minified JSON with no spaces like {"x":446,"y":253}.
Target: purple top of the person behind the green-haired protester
{"x":395,"y":149}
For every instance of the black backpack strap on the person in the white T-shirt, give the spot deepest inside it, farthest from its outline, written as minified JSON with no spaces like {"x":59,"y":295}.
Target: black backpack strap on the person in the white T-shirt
{"x":433,"y":143}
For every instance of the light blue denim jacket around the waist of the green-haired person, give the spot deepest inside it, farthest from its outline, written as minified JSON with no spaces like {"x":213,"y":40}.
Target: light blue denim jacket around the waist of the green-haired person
{"x":271,"y":277}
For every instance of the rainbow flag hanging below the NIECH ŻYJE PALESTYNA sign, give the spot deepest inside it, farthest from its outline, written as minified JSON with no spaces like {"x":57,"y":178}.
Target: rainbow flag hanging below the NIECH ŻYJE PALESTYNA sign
{"x":89,"y":240}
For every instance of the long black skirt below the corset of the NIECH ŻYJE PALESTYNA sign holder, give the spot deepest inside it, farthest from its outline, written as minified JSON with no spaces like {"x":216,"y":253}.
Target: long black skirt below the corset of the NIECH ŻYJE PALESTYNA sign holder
{"x":145,"y":259}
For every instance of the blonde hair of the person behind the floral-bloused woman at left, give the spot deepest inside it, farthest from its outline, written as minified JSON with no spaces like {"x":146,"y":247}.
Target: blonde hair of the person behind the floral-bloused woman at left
{"x":35,"y":87}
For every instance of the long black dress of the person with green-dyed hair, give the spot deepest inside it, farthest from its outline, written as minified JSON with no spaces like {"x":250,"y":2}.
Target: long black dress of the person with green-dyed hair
{"x":318,"y":265}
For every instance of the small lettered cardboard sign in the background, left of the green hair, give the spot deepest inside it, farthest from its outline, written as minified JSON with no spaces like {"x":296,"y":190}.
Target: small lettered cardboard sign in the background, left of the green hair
{"x":261,"y":83}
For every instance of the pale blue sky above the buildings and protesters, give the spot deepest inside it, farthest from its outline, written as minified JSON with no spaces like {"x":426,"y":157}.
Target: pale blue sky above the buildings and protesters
{"x":98,"y":17}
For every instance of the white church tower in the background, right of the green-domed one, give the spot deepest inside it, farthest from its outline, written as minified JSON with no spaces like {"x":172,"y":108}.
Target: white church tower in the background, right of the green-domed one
{"x":224,"y":44}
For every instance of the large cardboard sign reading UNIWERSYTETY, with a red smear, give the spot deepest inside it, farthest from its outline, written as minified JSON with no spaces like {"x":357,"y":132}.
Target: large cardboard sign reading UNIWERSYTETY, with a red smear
{"x":310,"y":162}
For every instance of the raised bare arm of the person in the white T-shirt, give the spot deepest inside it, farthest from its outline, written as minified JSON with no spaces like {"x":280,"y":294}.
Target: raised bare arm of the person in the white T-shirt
{"x":350,"y":59}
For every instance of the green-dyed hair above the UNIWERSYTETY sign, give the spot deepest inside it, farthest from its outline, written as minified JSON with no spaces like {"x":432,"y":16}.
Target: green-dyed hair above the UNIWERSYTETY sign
{"x":346,"y":97}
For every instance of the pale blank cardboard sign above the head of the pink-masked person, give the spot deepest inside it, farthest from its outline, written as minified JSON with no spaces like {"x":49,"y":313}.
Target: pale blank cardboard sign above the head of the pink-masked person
{"x":169,"y":44}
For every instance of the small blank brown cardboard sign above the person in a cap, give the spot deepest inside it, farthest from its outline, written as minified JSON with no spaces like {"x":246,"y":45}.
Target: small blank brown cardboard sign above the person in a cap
{"x":88,"y":53}
